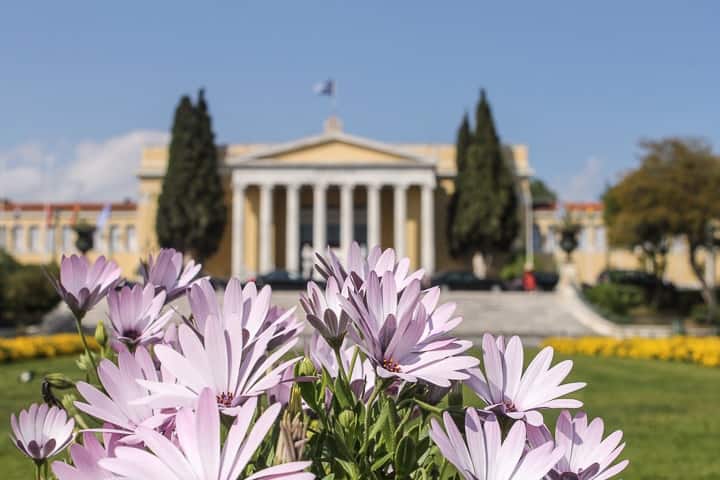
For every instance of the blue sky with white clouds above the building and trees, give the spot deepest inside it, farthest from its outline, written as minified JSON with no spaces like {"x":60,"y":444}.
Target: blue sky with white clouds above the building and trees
{"x":83,"y":85}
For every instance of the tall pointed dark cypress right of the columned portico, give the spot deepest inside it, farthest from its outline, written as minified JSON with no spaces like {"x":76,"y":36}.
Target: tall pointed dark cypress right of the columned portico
{"x":486,"y":217}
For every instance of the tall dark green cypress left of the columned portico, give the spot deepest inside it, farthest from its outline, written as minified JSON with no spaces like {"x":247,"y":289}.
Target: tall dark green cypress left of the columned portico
{"x":191,"y":209}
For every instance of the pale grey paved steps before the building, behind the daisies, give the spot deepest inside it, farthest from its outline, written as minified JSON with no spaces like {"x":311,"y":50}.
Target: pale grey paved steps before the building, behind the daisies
{"x":530,"y":315}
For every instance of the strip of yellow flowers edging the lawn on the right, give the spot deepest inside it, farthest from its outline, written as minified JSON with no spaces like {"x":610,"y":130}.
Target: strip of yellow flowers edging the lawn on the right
{"x":701,"y":350}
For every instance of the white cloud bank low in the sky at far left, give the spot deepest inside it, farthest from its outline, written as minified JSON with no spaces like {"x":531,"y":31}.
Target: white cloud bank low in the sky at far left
{"x":93,"y":171}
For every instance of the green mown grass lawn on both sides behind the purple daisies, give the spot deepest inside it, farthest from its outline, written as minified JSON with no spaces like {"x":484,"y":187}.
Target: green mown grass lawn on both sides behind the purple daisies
{"x":670,"y":413}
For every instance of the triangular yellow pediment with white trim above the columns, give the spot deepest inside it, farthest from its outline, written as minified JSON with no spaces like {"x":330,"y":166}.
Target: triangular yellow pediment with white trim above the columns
{"x":331,"y":148}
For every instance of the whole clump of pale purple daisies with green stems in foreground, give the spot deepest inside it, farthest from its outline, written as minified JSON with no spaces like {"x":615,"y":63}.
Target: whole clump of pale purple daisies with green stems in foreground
{"x":219,"y":395}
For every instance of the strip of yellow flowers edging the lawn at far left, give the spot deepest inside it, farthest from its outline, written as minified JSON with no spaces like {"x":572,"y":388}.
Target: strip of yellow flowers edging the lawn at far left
{"x":23,"y":348}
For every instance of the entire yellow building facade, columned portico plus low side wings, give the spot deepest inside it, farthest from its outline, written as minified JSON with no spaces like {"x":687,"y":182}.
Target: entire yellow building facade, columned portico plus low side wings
{"x":287,"y":200}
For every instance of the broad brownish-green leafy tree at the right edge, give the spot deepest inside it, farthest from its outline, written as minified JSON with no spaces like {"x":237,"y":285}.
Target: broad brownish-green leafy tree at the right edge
{"x":674,"y":192}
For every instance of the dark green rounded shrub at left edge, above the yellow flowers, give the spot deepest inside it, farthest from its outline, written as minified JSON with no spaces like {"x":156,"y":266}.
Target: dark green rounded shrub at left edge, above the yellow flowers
{"x":26,"y":294}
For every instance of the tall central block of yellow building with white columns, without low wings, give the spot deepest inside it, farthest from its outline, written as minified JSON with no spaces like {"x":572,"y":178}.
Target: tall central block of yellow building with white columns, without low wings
{"x":327,"y":189}
